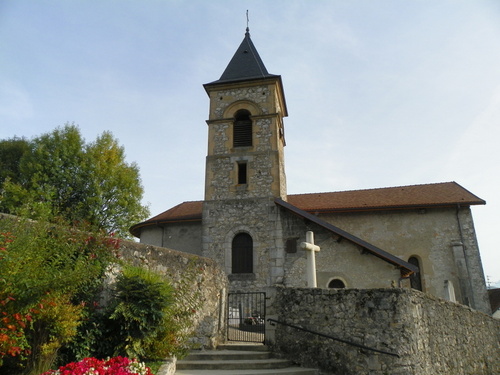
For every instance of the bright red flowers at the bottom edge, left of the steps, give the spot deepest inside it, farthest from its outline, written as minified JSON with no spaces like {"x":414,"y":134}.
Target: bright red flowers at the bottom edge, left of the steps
{"x":93,"y":366}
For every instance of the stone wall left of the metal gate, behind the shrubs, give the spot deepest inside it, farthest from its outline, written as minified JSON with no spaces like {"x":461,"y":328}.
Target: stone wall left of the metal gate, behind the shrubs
{"x":205,"y":281}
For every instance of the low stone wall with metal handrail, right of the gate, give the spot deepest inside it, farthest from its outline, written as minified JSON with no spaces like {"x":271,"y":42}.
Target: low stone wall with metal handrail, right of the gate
{"x":431,"y":336}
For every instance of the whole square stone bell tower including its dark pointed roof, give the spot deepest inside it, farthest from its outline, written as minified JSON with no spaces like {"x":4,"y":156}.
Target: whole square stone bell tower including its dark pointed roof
{"x":244,"y":169}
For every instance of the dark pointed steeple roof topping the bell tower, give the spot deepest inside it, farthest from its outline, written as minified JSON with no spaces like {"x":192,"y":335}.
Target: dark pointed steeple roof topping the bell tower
{"x":246,"y":64}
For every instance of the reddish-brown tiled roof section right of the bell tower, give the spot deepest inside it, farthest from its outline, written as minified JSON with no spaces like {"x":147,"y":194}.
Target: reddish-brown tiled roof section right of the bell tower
{"x":428,"y":195}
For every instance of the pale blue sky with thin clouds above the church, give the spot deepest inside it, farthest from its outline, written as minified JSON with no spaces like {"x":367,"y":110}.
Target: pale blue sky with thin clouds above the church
{"x":379,"y":93}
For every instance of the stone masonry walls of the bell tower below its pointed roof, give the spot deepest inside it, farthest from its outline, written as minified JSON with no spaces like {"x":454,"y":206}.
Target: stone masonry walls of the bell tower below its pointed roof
{"x":236,"y":205}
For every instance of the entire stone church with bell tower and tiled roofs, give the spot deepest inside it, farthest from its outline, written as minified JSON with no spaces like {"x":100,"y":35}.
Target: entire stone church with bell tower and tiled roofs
{"x":419,"y":236}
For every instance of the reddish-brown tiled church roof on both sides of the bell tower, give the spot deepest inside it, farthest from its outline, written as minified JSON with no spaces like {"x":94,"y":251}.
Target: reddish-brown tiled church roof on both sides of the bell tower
{"x":414,"y":196}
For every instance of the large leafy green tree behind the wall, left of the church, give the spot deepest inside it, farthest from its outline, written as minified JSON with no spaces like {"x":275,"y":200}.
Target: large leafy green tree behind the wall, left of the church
{"x":58,"y":174}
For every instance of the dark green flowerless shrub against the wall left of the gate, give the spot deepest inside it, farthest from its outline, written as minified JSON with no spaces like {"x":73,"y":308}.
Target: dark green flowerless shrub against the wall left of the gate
{"x":145,"y":317}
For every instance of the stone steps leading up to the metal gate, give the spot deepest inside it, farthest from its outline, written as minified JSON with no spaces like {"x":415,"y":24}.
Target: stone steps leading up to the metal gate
{"x":234,"y":359}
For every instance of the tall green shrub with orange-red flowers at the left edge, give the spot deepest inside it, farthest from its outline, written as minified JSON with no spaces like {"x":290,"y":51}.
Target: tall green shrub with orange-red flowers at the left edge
{"x":45,"y":270}
